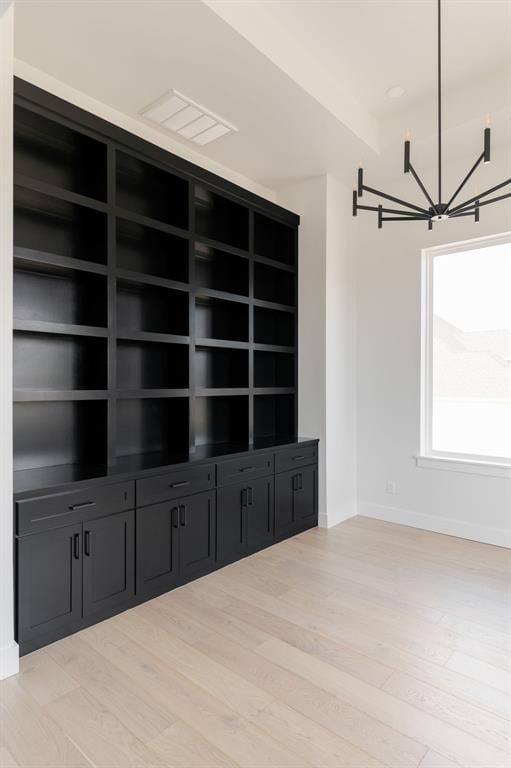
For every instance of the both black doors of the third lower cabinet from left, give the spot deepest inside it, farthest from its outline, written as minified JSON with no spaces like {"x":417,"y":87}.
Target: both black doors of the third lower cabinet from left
{"x":244,"y":519}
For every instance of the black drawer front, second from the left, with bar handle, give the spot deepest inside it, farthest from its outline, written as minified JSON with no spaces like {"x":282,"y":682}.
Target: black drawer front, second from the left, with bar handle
{"x":154,"y":490}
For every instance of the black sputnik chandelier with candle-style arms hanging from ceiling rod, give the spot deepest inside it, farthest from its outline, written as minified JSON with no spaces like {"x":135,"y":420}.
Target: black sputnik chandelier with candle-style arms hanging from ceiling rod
{"x":439,"y":211}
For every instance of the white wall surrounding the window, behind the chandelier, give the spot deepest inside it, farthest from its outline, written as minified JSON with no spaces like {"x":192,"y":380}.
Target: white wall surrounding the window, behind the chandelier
{"x":388,"y":374}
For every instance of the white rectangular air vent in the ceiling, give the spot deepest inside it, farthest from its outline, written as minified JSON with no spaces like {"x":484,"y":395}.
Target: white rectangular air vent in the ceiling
{"x":180,"y":114}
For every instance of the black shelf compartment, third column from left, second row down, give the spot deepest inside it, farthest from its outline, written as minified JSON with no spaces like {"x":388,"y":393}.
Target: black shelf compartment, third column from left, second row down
{"x":220,"y":271}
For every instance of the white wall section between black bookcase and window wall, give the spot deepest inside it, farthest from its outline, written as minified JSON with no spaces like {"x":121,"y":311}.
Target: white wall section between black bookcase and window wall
{"x":327,"y":376}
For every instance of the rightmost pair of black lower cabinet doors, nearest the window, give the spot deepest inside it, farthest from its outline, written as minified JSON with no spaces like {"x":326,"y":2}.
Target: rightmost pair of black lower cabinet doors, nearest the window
{"x":295,"y":501}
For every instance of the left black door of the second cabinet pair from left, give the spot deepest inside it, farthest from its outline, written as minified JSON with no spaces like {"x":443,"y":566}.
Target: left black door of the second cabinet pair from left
{"x":157,"y":548}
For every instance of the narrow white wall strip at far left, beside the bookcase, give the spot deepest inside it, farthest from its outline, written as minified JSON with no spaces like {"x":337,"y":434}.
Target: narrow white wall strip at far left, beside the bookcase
{"x":8,"y":648}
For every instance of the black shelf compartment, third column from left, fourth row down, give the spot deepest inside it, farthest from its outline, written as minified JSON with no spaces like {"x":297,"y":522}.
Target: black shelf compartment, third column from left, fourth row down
{"x":220,"y":368}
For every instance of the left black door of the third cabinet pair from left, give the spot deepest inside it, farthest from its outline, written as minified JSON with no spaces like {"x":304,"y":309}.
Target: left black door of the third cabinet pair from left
{"x":231,"y":522}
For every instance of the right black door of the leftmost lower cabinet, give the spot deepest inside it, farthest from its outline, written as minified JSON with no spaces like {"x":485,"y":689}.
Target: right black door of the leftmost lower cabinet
{"x":108,"y":562}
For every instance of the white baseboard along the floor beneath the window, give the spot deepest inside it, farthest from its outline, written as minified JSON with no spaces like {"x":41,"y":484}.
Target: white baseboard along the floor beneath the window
{"x":501,"y":537}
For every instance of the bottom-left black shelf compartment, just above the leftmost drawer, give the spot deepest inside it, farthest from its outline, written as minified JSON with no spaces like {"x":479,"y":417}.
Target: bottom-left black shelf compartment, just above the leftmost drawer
{"x":50,"y":434}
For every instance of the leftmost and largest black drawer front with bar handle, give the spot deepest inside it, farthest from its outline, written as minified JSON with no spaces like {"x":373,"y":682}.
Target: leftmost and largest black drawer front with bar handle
{"x":47,"y":512}
